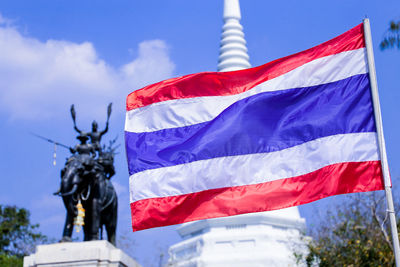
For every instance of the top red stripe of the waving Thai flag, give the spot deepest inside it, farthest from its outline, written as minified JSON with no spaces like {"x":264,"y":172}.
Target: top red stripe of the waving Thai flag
{"x":230,"y":83}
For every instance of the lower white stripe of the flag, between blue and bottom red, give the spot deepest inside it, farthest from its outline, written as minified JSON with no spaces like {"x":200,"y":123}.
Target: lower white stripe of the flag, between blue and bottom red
{"x":253,"y":168}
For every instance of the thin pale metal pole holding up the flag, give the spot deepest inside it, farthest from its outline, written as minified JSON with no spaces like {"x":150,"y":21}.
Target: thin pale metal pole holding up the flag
{"x":381,"y":140}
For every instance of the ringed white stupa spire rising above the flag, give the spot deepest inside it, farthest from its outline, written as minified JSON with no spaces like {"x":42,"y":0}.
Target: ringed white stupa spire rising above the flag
{"x":233,"y":51}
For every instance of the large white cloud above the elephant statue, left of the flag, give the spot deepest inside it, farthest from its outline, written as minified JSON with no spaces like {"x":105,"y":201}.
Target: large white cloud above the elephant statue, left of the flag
{"x":40,"y":80}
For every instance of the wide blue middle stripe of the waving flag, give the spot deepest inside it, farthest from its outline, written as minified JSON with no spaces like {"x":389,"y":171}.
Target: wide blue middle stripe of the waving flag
{"x":262,"y":123}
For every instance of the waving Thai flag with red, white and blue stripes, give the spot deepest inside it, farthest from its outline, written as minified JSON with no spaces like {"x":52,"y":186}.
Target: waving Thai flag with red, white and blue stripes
{"x":286,"y":133}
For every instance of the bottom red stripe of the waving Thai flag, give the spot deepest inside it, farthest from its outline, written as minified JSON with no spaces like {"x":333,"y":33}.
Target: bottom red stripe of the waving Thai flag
{"x":341,"y":178}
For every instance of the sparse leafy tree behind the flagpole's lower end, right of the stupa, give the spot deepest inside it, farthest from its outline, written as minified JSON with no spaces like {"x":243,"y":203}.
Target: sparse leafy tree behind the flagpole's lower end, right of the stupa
{"x":355,"y":233}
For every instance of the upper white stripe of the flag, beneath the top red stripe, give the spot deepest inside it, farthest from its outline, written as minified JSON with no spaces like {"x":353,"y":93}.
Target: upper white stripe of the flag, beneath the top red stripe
{"x":185,"y":112}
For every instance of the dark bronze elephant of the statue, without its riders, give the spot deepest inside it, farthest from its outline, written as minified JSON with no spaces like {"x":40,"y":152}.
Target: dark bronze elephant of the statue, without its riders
{"x":86,"y":179}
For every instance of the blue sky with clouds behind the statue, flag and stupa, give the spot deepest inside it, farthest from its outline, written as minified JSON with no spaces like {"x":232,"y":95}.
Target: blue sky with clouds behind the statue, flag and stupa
{"x":90,"y":53}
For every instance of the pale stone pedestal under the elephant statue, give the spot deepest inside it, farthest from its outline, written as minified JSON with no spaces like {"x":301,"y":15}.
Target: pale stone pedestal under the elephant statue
{"x":89,"y":253}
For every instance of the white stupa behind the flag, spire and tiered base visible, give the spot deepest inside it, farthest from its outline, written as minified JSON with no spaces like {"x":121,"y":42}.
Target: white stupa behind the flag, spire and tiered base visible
{"x":255,"y":239}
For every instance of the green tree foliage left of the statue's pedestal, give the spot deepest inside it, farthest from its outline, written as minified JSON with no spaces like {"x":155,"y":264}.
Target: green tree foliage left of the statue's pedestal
{"x":18,"y":237}
